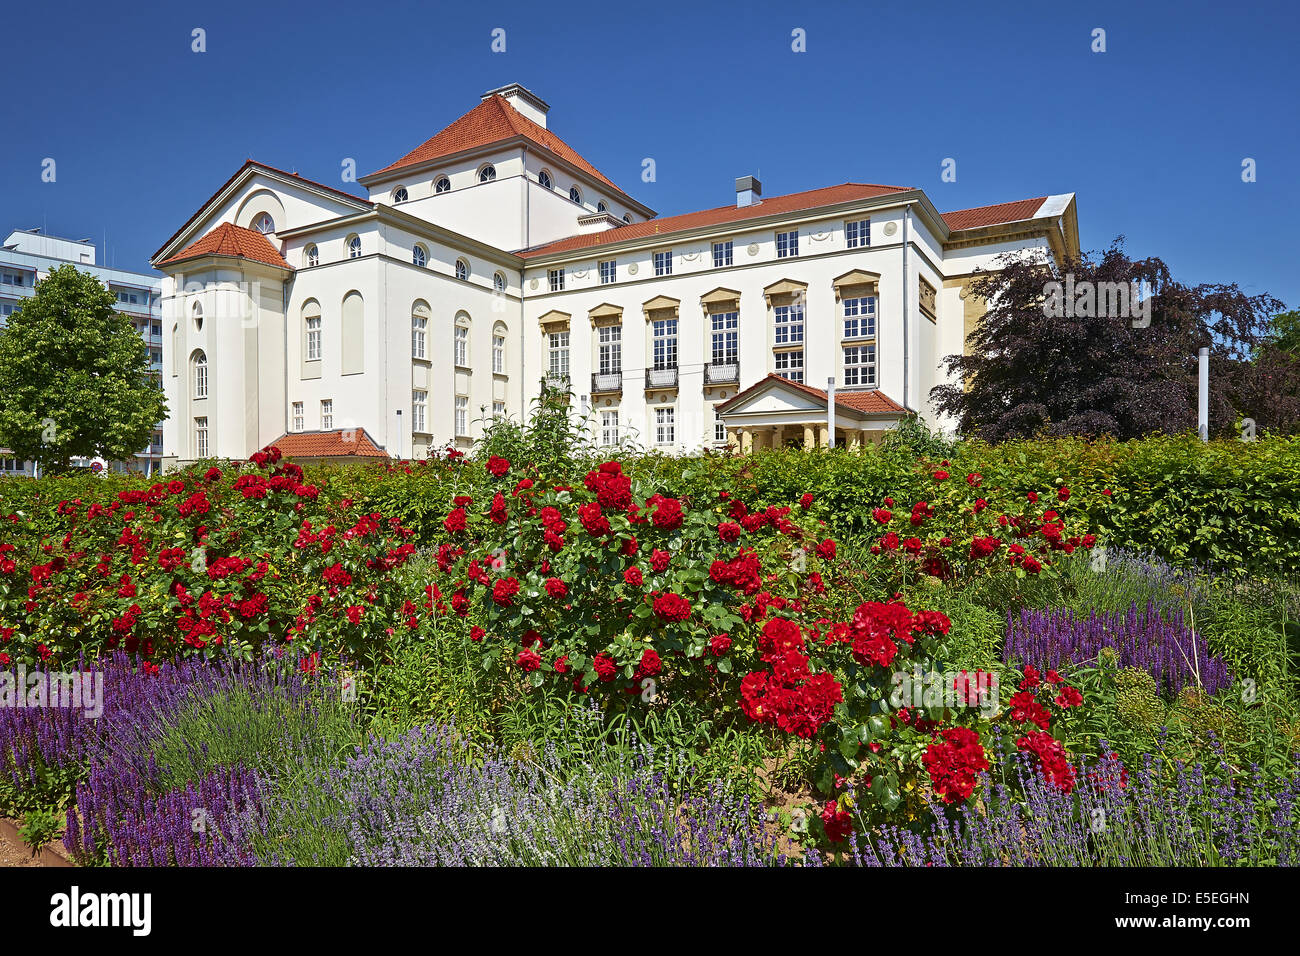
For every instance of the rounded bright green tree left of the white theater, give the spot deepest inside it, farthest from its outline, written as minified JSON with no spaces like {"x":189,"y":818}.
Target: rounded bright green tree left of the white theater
{"x":75,"y":377}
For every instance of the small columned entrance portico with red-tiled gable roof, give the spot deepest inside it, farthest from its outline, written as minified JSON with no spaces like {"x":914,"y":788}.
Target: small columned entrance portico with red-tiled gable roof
{"x":778,"y":413}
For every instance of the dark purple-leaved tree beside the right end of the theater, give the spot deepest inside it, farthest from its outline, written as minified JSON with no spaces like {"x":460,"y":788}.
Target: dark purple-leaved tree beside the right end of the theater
{"x":1094,"y":373}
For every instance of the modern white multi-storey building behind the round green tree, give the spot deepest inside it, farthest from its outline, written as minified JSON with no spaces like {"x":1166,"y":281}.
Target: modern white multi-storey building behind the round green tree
{"x":28,"y":257}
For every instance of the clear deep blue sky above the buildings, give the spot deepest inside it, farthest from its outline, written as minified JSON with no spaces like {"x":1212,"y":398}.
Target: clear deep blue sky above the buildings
{"x":1151,"y":135}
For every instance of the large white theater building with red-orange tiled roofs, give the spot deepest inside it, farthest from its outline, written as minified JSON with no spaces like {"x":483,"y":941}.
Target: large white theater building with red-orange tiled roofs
{"x":493,"y":256}
